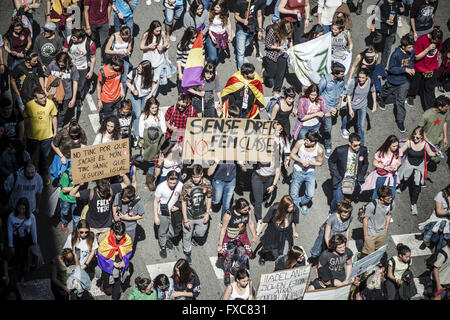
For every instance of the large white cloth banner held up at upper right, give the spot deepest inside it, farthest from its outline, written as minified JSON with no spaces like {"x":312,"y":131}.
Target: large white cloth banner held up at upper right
{"x":312,"y":60}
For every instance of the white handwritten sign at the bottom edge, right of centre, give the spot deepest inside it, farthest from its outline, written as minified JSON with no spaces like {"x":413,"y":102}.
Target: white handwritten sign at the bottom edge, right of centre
{"x":289,"y":284}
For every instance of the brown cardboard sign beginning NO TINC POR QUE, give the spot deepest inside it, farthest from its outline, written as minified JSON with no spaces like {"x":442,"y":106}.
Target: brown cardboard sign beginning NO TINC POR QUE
{"x":100,"y":161}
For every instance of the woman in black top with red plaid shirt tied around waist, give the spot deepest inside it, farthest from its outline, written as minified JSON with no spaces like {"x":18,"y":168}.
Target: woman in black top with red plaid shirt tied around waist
{"x":233,"y":239}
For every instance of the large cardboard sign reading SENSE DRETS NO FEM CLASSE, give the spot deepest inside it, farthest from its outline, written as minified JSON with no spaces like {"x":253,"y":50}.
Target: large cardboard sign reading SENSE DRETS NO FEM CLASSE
{"x":209,"y":139}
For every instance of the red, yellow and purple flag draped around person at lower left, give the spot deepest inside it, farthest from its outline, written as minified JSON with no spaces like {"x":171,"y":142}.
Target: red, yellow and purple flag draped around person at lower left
{"x":108,"y":250}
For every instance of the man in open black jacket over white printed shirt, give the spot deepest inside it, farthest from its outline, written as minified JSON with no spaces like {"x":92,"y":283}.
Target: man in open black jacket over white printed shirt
{"x":341,"y":167}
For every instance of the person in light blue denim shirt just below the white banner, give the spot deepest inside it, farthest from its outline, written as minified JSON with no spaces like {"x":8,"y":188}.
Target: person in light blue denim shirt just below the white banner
{"x":331,"y":87}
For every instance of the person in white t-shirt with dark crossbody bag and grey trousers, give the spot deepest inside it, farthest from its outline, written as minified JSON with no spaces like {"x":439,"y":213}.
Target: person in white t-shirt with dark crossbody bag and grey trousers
{"x":164,"y":205}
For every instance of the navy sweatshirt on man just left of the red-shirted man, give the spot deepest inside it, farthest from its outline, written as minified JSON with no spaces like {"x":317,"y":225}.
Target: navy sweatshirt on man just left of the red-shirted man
{"x":399,"y":61}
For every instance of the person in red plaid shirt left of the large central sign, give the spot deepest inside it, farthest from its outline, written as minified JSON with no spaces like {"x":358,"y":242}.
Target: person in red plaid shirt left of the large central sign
{"x":176,"y":117}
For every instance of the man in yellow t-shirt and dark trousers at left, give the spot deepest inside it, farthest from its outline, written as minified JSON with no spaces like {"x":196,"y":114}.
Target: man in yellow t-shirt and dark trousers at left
{"x":41,"y":123}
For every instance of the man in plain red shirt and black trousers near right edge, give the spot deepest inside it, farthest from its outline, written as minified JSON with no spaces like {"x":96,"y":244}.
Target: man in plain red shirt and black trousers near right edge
{"x":426,"y":65}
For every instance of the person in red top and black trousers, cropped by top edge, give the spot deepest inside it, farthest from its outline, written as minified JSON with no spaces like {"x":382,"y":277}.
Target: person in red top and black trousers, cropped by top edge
{"x":296,"y":12}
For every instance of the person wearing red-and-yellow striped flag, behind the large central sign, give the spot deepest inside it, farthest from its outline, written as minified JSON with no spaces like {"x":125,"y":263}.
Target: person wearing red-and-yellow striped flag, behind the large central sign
{"x":244,"y":89}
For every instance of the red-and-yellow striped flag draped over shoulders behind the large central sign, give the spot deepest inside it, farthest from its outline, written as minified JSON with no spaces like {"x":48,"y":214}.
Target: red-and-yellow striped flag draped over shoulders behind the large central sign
{"x":237,"y":82}
